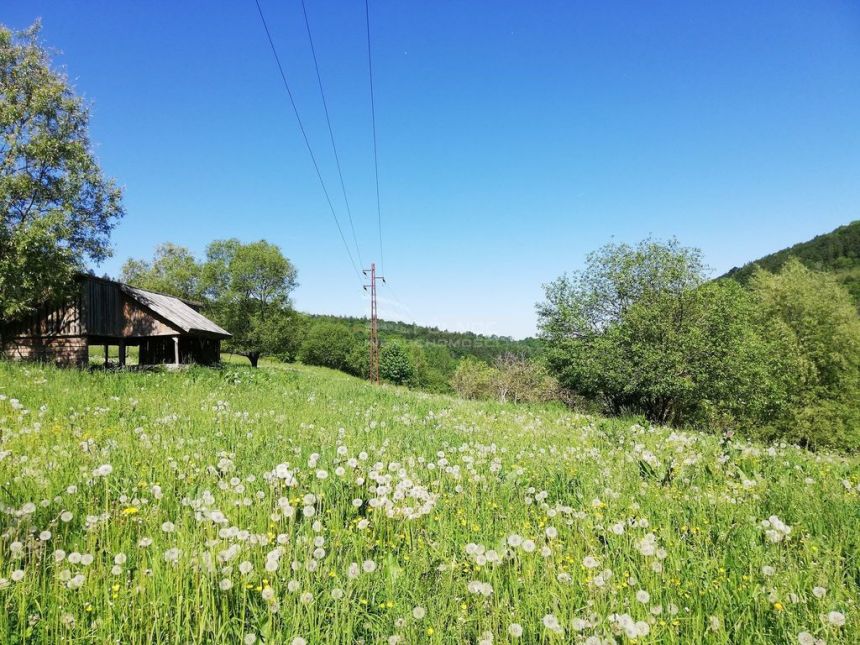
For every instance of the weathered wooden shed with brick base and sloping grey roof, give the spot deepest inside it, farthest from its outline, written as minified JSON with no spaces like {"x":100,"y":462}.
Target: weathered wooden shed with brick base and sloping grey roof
{"x":107,"y":313}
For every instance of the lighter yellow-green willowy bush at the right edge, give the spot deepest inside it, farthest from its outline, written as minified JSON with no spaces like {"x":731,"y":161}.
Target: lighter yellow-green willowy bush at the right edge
{"x":822,"y":320}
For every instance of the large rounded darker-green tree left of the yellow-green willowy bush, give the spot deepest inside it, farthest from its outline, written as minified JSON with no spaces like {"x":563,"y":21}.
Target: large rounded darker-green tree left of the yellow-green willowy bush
{"x":639,"y":331}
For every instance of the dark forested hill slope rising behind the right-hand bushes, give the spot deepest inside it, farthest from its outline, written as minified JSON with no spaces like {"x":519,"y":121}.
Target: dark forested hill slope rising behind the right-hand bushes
{"x":837,"y":252}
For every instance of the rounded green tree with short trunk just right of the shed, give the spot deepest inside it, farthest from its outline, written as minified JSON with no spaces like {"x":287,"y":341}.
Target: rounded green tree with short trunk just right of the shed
{"x":248,"y":287}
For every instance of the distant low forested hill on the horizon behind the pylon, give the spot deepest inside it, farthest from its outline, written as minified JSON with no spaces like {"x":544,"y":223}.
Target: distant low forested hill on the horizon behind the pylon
{"x":459,"y":343}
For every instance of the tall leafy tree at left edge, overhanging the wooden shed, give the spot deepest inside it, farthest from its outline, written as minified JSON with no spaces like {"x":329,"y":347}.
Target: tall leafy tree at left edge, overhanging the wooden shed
{"x":57,"y":210}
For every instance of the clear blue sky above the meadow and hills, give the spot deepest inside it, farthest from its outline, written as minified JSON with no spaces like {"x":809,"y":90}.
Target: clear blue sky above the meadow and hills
{"x":514,"y":137}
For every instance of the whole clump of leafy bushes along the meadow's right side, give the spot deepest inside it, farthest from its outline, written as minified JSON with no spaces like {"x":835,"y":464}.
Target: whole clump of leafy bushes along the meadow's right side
{"x":640,"y":331}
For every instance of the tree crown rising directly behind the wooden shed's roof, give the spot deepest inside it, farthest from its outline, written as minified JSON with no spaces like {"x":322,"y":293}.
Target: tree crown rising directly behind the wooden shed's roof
{"x":174,"y":270}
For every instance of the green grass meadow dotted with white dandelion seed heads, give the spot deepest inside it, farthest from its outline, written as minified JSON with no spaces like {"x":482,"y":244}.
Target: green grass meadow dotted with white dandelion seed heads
{"x":292,"y":505}
